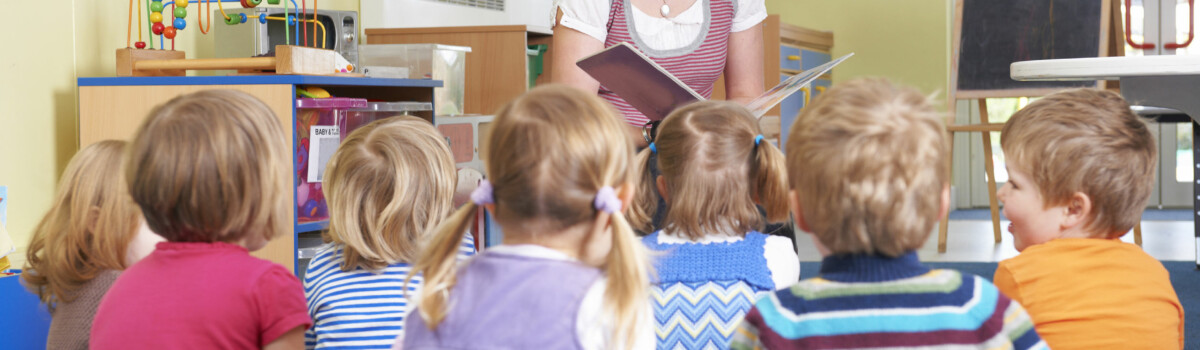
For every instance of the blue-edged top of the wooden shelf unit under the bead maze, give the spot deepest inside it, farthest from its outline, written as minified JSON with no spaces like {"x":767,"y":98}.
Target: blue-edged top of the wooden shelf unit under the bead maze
{"x":259,"y":81}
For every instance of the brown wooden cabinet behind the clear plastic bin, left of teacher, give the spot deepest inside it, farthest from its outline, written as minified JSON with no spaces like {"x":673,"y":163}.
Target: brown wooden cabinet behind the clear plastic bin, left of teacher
{"x":497,"y":67}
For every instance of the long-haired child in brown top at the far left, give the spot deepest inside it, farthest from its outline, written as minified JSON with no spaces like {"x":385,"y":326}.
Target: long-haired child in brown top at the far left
{"x":81,"y":246}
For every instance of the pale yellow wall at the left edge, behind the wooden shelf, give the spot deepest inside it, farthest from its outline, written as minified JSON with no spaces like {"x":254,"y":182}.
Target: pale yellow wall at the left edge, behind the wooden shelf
{"x":44,"y":56}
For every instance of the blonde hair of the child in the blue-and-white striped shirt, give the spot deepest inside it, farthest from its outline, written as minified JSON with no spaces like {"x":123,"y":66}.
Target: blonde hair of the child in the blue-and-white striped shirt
{"x":389,"y":183}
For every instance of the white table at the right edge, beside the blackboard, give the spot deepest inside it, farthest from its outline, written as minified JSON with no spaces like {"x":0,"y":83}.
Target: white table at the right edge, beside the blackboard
{"x":1168,"y":81}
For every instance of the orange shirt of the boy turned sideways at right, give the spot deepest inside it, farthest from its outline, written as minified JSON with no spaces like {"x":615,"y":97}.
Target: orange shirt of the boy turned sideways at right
{"x":1095,"y":294}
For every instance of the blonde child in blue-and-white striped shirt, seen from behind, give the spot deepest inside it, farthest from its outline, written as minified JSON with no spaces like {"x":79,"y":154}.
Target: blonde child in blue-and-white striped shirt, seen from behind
{"x":388,"y":184}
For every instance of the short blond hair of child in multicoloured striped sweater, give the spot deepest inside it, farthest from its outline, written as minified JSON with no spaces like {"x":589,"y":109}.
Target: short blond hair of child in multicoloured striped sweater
{"x":868,"y":164}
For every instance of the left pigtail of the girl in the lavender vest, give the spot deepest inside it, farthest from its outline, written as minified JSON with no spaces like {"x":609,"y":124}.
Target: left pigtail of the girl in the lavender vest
{"x":439,"y":265}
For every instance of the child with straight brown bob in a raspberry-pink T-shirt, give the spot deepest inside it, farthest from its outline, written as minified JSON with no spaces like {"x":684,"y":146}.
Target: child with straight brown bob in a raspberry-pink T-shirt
{"x":209,"y":172}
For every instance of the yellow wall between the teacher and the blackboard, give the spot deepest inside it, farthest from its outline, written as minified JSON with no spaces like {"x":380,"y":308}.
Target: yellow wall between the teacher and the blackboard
{"x":905,"y":41}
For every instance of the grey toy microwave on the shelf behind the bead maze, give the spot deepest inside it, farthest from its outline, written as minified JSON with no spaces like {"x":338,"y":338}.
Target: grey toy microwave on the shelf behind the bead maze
{"x":265,"y":28}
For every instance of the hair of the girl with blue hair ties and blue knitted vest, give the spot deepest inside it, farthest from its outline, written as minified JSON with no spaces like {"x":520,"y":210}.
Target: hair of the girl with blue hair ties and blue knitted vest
{"x":715,"y":171}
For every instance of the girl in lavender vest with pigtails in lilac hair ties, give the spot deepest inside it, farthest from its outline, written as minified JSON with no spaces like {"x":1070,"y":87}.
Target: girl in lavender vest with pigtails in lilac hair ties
{"x":569,"y":273}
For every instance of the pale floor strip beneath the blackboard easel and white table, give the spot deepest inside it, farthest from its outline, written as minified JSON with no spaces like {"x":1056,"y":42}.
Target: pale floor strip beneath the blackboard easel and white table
{"x":971,"y":240}
